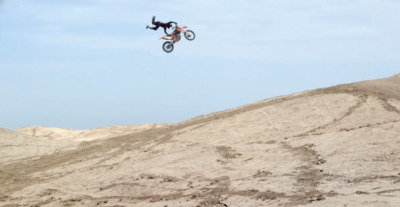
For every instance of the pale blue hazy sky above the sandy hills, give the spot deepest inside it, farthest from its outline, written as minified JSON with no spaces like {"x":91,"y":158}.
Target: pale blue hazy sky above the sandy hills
{"x":84,"y":64}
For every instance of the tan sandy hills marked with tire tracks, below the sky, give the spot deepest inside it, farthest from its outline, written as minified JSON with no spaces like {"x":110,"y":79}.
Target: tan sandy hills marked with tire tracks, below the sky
{"x":337,"y":146}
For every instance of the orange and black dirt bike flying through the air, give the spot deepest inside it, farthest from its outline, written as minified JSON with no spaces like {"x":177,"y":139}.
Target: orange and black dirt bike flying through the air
{"x":175,"y":37}
